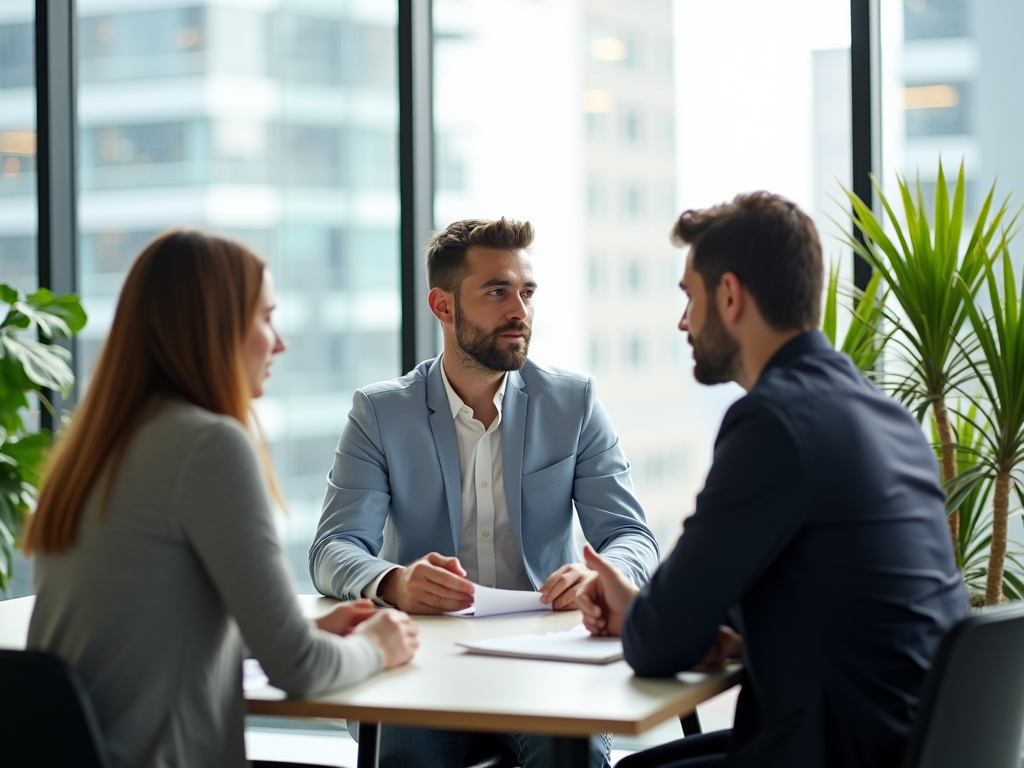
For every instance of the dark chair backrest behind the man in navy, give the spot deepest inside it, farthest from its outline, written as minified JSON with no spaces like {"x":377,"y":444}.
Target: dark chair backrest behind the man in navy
{"x":972,"y":706}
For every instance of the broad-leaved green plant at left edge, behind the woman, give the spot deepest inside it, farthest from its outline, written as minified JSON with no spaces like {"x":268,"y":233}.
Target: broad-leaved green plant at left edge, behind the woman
{"x":27,"y":367}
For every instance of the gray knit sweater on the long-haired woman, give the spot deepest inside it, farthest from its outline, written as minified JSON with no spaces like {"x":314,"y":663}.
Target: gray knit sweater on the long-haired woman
{"x":153,"y":604}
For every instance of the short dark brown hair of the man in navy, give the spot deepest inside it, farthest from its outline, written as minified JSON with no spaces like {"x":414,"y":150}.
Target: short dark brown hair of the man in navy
{"x":771,"y":245}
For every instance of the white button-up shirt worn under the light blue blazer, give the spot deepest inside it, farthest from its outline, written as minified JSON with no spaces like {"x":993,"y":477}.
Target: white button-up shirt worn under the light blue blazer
{"x":487,"y":549}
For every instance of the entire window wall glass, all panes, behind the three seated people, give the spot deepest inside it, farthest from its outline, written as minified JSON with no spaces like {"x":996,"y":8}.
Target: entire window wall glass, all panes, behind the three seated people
{"x":599,"y":121}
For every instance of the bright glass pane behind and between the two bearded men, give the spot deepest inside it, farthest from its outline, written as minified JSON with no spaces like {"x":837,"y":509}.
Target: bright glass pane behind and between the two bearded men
{"x":601,"y":122}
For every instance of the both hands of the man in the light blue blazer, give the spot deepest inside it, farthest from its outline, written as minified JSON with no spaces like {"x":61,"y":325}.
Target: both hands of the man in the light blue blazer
{"x":437,"y":584}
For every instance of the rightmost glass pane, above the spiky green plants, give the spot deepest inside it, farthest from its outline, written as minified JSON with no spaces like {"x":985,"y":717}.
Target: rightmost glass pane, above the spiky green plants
{"x":952,"y":72}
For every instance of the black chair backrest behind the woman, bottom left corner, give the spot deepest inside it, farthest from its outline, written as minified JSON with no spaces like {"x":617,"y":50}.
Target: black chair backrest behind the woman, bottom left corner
{"x":47,"y":717}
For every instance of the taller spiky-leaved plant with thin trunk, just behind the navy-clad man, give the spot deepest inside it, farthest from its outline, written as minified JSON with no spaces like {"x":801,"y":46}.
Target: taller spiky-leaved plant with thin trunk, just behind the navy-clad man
{"x":922,"y":268}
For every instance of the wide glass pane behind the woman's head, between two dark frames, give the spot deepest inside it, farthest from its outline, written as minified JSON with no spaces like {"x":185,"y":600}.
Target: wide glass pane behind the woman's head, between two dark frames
{"x":275,"y":124}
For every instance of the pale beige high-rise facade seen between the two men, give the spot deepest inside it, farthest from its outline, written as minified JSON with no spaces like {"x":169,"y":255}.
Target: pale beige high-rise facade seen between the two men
{"x":637,"y":355}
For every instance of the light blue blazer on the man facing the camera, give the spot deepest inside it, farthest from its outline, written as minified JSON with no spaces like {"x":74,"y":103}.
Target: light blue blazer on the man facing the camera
{"x":395,"y":493}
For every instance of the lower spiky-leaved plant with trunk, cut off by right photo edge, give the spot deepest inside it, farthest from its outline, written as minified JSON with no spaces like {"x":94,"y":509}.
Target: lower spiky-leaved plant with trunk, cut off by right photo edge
{"x":999,"y":369}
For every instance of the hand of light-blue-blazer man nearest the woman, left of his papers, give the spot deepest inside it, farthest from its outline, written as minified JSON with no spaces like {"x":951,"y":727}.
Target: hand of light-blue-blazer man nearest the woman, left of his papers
{"x":432,"y":585}
